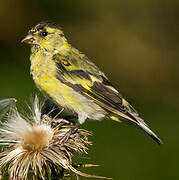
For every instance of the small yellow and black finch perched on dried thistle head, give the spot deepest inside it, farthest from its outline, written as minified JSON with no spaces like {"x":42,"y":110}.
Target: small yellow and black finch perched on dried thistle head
{"x":73,"y":82}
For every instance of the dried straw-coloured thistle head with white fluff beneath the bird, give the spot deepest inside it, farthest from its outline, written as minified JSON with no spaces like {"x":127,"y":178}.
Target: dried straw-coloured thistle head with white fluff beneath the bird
{"x":32,"y":147}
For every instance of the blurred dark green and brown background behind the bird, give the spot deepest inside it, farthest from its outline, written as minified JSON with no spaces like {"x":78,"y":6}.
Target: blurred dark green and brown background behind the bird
{"x":136,"y":44}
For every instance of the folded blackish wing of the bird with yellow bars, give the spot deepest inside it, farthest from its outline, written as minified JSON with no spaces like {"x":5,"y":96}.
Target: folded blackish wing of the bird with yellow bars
{"x":95,"y":87}
